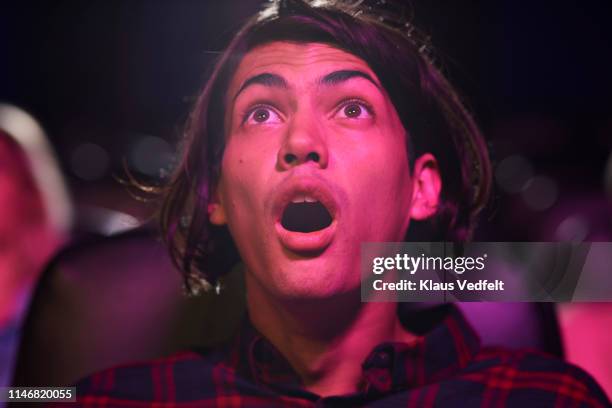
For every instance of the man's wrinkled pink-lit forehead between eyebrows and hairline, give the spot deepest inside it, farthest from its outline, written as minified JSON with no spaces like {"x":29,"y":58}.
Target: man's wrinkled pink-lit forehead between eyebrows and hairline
{"x":296,"y":62}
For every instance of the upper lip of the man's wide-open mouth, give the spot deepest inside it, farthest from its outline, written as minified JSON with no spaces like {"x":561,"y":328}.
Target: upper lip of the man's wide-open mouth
{"x":304,"y":186}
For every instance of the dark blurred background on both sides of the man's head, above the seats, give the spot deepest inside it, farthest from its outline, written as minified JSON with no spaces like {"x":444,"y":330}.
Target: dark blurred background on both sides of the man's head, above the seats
{"x":112,"y":83}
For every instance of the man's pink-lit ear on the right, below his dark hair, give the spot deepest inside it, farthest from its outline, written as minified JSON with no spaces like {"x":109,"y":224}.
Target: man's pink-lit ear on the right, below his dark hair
{"x":426,"y":187}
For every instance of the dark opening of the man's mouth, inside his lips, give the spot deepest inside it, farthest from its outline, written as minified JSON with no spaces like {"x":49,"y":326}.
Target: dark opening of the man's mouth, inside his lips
{"x":306,"y":215}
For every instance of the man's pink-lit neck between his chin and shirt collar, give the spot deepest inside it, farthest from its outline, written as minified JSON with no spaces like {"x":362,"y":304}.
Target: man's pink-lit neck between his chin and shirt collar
{"x":325,"y":340}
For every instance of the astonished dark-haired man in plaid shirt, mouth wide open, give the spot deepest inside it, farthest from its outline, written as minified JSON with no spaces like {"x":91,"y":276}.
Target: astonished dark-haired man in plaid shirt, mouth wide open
{"x":324,"y":126}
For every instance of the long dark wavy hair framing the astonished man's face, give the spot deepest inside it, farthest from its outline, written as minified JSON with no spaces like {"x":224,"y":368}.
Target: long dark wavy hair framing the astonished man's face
{"x":430,"y":109}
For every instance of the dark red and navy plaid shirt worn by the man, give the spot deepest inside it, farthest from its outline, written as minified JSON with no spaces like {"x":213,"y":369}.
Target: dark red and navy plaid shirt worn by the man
{"x":445,"y":368}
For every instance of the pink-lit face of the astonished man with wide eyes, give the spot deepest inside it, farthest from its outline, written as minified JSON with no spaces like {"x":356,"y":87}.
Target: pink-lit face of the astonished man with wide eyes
{"x":315,"y":164}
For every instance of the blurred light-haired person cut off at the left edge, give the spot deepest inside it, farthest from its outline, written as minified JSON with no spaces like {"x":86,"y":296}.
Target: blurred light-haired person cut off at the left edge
{"x":34,"y":221}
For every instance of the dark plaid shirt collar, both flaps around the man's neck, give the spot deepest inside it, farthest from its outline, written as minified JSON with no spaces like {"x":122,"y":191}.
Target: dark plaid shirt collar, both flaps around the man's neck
{"x":448,"y":347}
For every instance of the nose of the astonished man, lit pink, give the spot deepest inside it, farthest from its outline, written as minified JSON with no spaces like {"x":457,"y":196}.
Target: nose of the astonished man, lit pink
{"x":303,"y":143}
